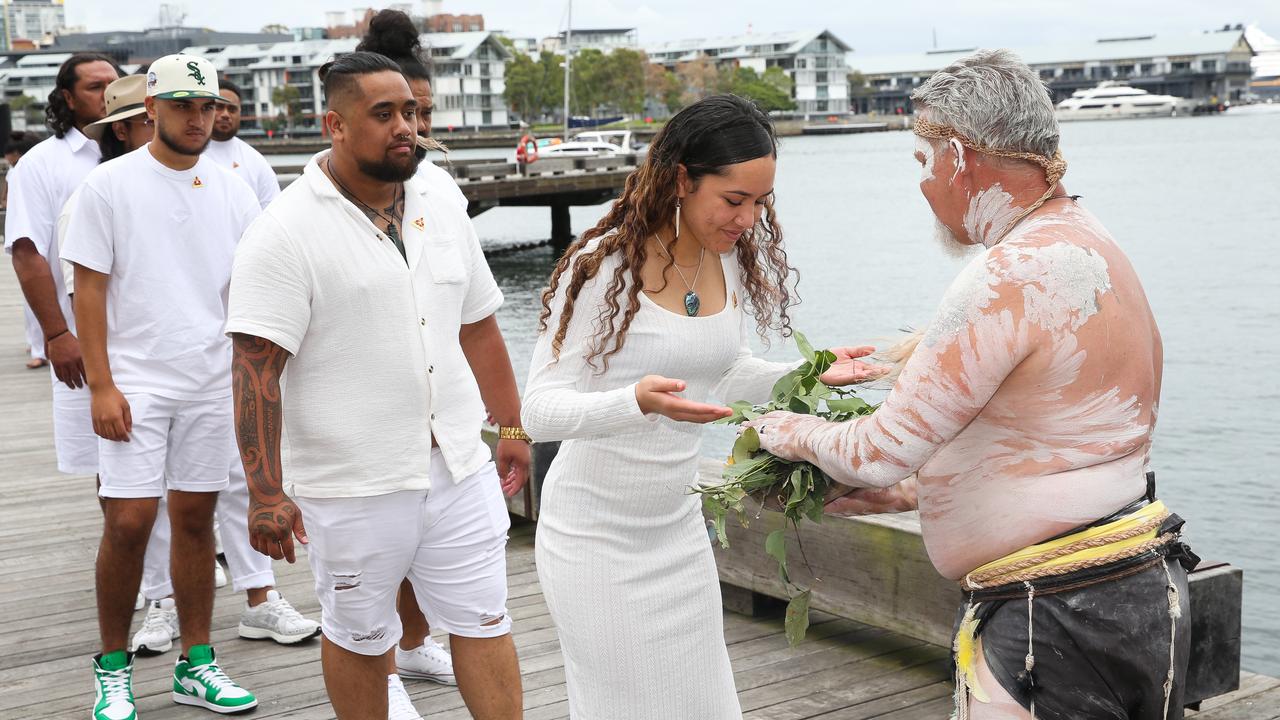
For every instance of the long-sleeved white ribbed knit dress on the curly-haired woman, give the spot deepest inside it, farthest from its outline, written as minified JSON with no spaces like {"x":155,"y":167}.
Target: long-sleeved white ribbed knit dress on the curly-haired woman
{"x":623,"y":550}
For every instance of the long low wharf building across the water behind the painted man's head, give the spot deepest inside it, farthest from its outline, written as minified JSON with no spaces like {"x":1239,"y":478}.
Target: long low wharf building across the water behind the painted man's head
{"x":1210,"y":66}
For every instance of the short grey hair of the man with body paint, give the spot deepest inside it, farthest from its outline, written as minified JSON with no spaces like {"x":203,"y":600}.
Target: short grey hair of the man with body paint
{"x":994,"y":99}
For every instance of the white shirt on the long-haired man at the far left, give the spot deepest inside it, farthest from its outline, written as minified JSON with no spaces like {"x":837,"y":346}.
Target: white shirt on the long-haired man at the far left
{"x":51,"y":172}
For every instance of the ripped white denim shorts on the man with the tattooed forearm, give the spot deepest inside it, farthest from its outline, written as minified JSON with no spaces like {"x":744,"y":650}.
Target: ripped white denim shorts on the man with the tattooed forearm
{"x":451,"y":543}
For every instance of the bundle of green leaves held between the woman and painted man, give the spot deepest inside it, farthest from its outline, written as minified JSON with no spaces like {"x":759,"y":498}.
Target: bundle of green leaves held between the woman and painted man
{"x":798,"y":490}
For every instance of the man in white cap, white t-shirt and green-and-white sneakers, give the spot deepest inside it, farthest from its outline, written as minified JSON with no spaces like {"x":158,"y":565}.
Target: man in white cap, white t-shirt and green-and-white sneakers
{"x":153,"y":238}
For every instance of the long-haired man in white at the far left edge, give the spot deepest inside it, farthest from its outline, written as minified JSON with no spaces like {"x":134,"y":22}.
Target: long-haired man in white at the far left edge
{"x":51,"y":174}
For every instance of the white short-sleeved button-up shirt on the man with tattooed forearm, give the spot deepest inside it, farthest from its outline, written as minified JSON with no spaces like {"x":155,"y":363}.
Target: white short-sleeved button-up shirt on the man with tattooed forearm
{"x":377,"y":368}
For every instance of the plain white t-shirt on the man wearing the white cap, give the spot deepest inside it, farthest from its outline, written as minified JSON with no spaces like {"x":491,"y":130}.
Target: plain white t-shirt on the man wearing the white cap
{"x":168,"y":240}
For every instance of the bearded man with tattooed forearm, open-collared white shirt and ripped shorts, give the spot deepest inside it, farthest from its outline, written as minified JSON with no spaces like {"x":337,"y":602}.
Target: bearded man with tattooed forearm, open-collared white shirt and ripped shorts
{"x":376,"y":291}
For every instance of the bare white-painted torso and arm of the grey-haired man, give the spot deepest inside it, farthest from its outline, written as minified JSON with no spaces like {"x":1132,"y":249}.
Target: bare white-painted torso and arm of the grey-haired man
{"x":1030,"y":405}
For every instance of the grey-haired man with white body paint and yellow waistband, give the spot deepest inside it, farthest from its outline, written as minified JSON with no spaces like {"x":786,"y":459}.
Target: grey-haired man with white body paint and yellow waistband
{"x":1022,"y":426}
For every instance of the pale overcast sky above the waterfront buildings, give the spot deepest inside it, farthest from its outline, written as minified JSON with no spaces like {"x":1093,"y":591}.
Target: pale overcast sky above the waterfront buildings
{"x":871,"y":29}
